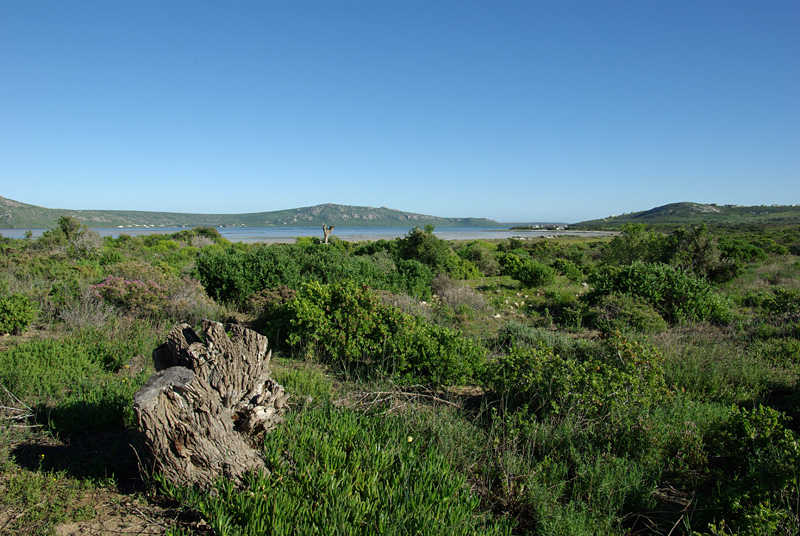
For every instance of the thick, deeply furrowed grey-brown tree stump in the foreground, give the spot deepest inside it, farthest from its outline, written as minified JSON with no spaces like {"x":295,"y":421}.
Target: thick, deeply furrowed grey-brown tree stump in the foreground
{"x":203,"y":414}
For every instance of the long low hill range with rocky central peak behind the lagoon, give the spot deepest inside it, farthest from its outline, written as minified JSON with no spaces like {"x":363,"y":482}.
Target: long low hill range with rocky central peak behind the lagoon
{"x":16,"y":215}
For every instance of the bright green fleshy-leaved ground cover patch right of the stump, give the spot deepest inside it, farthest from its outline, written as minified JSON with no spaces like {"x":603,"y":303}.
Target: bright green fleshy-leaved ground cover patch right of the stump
{"x":336,"y":471}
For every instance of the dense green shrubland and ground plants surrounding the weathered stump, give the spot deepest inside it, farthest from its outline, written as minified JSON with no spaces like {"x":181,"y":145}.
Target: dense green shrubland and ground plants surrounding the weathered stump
{"x":640,"y":384}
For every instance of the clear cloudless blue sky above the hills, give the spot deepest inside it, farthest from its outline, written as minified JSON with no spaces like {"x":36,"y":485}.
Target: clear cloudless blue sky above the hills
{"x":511,"y":110}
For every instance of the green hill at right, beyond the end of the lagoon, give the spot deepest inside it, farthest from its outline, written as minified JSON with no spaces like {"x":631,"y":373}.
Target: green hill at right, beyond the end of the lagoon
{"x":696,"y":213}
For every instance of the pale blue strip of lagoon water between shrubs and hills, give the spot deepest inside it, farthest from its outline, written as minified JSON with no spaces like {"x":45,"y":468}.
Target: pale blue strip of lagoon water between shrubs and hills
{"x":351,"y":234}
